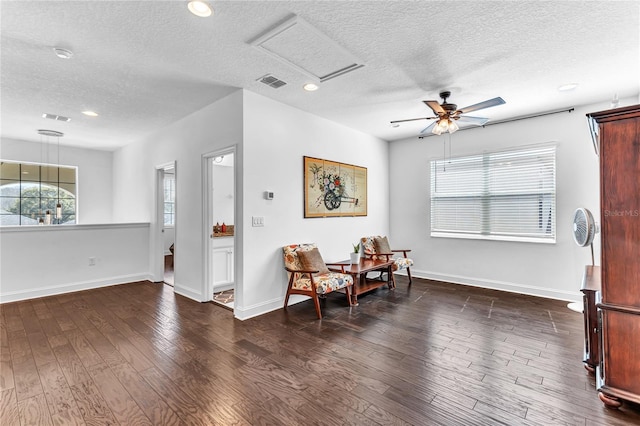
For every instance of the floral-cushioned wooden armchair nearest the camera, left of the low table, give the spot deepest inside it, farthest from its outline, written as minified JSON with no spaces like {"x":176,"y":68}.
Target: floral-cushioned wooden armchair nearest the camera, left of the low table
{"x":309,"y":275}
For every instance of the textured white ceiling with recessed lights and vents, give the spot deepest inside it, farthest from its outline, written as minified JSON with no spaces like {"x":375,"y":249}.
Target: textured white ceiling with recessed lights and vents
{"x":145,"y":64}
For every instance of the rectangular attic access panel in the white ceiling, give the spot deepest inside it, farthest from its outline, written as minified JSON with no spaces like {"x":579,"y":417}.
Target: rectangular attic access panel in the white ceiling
{"x":301,"y":46}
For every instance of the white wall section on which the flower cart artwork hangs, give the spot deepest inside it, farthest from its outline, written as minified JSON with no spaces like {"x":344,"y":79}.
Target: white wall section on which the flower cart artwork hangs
{"x":276,"y":137}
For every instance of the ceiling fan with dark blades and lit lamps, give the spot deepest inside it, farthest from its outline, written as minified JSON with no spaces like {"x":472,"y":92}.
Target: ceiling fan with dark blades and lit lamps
{"x":447,"y":114}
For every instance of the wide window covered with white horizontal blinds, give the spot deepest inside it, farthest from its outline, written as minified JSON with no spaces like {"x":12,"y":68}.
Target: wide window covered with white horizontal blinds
{"x":509,"y":195}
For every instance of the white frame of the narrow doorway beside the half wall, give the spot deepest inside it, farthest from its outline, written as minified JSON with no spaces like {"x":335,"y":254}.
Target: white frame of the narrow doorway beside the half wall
{"x":157,"y":244}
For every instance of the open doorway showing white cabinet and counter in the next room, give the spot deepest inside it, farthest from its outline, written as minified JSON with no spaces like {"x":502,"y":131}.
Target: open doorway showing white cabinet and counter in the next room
{"x":221,"y":219}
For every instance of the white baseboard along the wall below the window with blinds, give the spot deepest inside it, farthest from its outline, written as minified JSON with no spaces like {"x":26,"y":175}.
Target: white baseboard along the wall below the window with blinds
{"x":530,"y":290}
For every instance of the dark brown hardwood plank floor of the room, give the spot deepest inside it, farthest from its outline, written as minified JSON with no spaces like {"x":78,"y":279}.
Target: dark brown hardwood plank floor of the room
{"x":429,"y":354}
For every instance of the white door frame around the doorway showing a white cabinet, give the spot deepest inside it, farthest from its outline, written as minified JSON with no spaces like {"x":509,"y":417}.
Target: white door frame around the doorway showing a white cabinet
{"x":207,"y":218}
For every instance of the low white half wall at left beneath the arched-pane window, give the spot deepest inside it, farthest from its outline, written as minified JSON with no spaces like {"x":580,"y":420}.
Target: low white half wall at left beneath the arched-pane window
{"x":45,"y":260}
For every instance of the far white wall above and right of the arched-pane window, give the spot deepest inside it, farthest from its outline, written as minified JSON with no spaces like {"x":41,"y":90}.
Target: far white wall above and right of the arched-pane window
{"x":95,"y":192}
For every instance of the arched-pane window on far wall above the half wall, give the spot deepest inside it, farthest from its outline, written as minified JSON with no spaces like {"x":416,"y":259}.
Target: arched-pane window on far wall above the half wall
{"x":28,"y":190}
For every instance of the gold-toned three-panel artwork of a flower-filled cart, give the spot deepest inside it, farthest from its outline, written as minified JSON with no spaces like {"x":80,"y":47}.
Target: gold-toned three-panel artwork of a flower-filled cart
{"x":333,"y":189}
